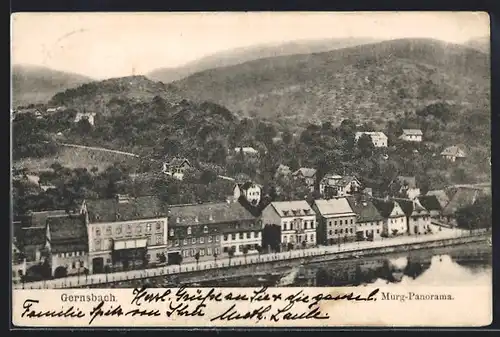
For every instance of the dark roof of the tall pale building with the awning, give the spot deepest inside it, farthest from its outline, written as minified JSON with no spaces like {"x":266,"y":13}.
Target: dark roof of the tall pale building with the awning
{"x":111,"y":210}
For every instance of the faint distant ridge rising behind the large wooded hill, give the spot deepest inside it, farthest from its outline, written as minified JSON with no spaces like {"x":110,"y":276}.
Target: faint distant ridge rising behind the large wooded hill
{"x":241,"y":55}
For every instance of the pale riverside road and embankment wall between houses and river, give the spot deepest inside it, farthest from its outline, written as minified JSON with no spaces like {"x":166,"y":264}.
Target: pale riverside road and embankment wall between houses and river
{"x":266,"y":262}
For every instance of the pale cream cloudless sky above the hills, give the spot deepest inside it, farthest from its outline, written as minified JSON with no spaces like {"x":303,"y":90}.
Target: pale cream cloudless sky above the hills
{"x":105,"y":45}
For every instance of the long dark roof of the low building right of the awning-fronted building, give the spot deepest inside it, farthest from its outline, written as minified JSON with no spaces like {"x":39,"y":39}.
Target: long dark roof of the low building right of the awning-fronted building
{"x":222,"y":212}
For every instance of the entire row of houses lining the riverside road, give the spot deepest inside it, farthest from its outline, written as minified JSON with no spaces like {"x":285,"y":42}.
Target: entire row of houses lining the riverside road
{"x":125,"y":232}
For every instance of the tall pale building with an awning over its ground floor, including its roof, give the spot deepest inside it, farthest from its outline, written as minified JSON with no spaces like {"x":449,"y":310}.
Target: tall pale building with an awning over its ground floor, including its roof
{"x":125,"y":232}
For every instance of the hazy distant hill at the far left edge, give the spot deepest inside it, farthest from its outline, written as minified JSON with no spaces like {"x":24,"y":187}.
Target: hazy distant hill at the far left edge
{"x":36,"y":84}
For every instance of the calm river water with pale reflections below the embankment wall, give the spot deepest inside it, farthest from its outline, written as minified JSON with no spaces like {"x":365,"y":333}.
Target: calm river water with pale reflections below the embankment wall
{"x":457,"y":265}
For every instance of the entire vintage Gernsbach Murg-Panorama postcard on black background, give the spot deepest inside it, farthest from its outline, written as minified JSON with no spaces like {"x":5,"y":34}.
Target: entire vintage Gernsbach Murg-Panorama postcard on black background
{"x":251,"y":169}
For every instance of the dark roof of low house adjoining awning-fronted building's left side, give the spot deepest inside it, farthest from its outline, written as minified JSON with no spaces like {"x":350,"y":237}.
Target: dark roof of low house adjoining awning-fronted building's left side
{"x":68,"y":234}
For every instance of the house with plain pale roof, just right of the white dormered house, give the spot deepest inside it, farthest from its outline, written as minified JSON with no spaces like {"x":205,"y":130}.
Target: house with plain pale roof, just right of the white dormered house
{"x":336,"y":221}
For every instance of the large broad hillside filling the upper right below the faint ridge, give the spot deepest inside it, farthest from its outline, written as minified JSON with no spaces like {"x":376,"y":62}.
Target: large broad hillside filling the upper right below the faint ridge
{"x":368,"y":82}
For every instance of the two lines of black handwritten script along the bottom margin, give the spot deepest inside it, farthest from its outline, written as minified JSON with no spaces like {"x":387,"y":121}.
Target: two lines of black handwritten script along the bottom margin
{"x":218,"y":305}
